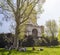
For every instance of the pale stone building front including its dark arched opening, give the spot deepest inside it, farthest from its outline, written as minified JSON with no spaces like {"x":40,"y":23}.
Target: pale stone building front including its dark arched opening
{"x":35,"y":30}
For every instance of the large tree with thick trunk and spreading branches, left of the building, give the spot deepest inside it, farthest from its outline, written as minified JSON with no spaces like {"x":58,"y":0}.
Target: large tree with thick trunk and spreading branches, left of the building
{"x":19,"y":10}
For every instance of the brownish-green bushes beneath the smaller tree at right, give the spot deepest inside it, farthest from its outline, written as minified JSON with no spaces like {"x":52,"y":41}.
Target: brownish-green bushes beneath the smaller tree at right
{"x":48,"y":41}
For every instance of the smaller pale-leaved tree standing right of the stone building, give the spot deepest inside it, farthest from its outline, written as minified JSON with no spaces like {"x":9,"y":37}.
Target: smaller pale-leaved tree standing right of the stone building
{"x":51,"y":27}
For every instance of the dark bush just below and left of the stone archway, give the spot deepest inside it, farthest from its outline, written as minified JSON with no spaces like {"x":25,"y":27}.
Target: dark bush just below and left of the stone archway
{"x":29,"y":41}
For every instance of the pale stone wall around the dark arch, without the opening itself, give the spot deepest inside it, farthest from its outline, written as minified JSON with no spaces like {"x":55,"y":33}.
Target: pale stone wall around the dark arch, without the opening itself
{"x":30,"y":27}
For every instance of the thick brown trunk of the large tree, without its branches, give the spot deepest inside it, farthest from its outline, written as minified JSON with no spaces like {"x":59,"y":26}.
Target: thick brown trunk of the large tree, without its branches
{"x":17,"y":32}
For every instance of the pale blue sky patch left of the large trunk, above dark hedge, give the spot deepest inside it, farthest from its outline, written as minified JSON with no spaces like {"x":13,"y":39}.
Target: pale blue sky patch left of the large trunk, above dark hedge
{"x":5,"y":27}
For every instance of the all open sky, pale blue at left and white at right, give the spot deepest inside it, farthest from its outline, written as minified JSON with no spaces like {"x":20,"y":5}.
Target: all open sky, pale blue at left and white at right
{"x":51,"y":11}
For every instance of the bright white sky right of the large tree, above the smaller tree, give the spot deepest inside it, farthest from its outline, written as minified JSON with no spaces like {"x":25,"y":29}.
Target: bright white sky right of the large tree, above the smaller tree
{"x":51,"y":11}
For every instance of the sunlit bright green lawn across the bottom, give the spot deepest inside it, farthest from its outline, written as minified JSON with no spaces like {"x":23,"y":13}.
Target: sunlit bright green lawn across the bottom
{"x":46,"y":51}
